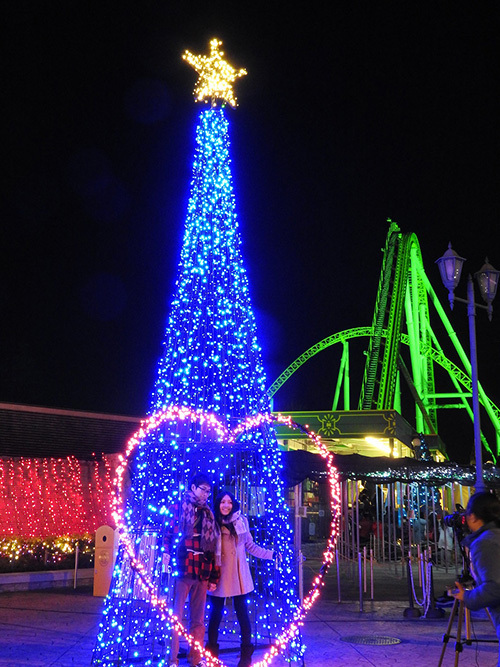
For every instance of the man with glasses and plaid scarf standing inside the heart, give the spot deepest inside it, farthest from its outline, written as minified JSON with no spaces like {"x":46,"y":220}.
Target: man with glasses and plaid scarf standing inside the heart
{"x":198,"y":572}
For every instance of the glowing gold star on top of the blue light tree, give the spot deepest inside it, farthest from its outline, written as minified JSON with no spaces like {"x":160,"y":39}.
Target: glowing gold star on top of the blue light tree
{"x":215,"y":75}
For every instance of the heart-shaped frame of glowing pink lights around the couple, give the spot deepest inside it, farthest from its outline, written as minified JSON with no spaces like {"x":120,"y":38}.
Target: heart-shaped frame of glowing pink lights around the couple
{"x":176,"y":413}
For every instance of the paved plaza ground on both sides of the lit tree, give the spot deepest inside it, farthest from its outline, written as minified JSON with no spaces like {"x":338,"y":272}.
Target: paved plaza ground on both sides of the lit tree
{"x":58,"y":627}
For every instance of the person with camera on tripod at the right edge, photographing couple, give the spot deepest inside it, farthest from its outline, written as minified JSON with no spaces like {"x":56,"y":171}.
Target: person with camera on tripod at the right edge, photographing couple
{"x":482,"y":515}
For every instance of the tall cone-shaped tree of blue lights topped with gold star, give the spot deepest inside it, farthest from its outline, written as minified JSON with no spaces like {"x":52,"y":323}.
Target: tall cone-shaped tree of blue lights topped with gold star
{"x":211,"y":365}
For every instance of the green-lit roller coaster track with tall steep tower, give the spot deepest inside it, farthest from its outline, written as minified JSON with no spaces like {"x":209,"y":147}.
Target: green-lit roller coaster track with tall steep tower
{"x":401,"y":317}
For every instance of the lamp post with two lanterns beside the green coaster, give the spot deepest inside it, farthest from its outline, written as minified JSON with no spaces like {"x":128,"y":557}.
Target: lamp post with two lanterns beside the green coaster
{"x":450,"y":266}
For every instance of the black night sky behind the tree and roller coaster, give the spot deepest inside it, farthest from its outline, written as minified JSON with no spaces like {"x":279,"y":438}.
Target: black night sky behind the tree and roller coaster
{"x":348,"y":116}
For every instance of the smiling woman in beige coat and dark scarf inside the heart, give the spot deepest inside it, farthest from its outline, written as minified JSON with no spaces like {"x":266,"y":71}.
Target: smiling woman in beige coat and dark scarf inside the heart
{"x":236,"y":581}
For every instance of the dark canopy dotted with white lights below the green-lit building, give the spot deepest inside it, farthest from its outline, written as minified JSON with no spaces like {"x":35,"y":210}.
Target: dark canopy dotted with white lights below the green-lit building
{"x":299,"y":465}
